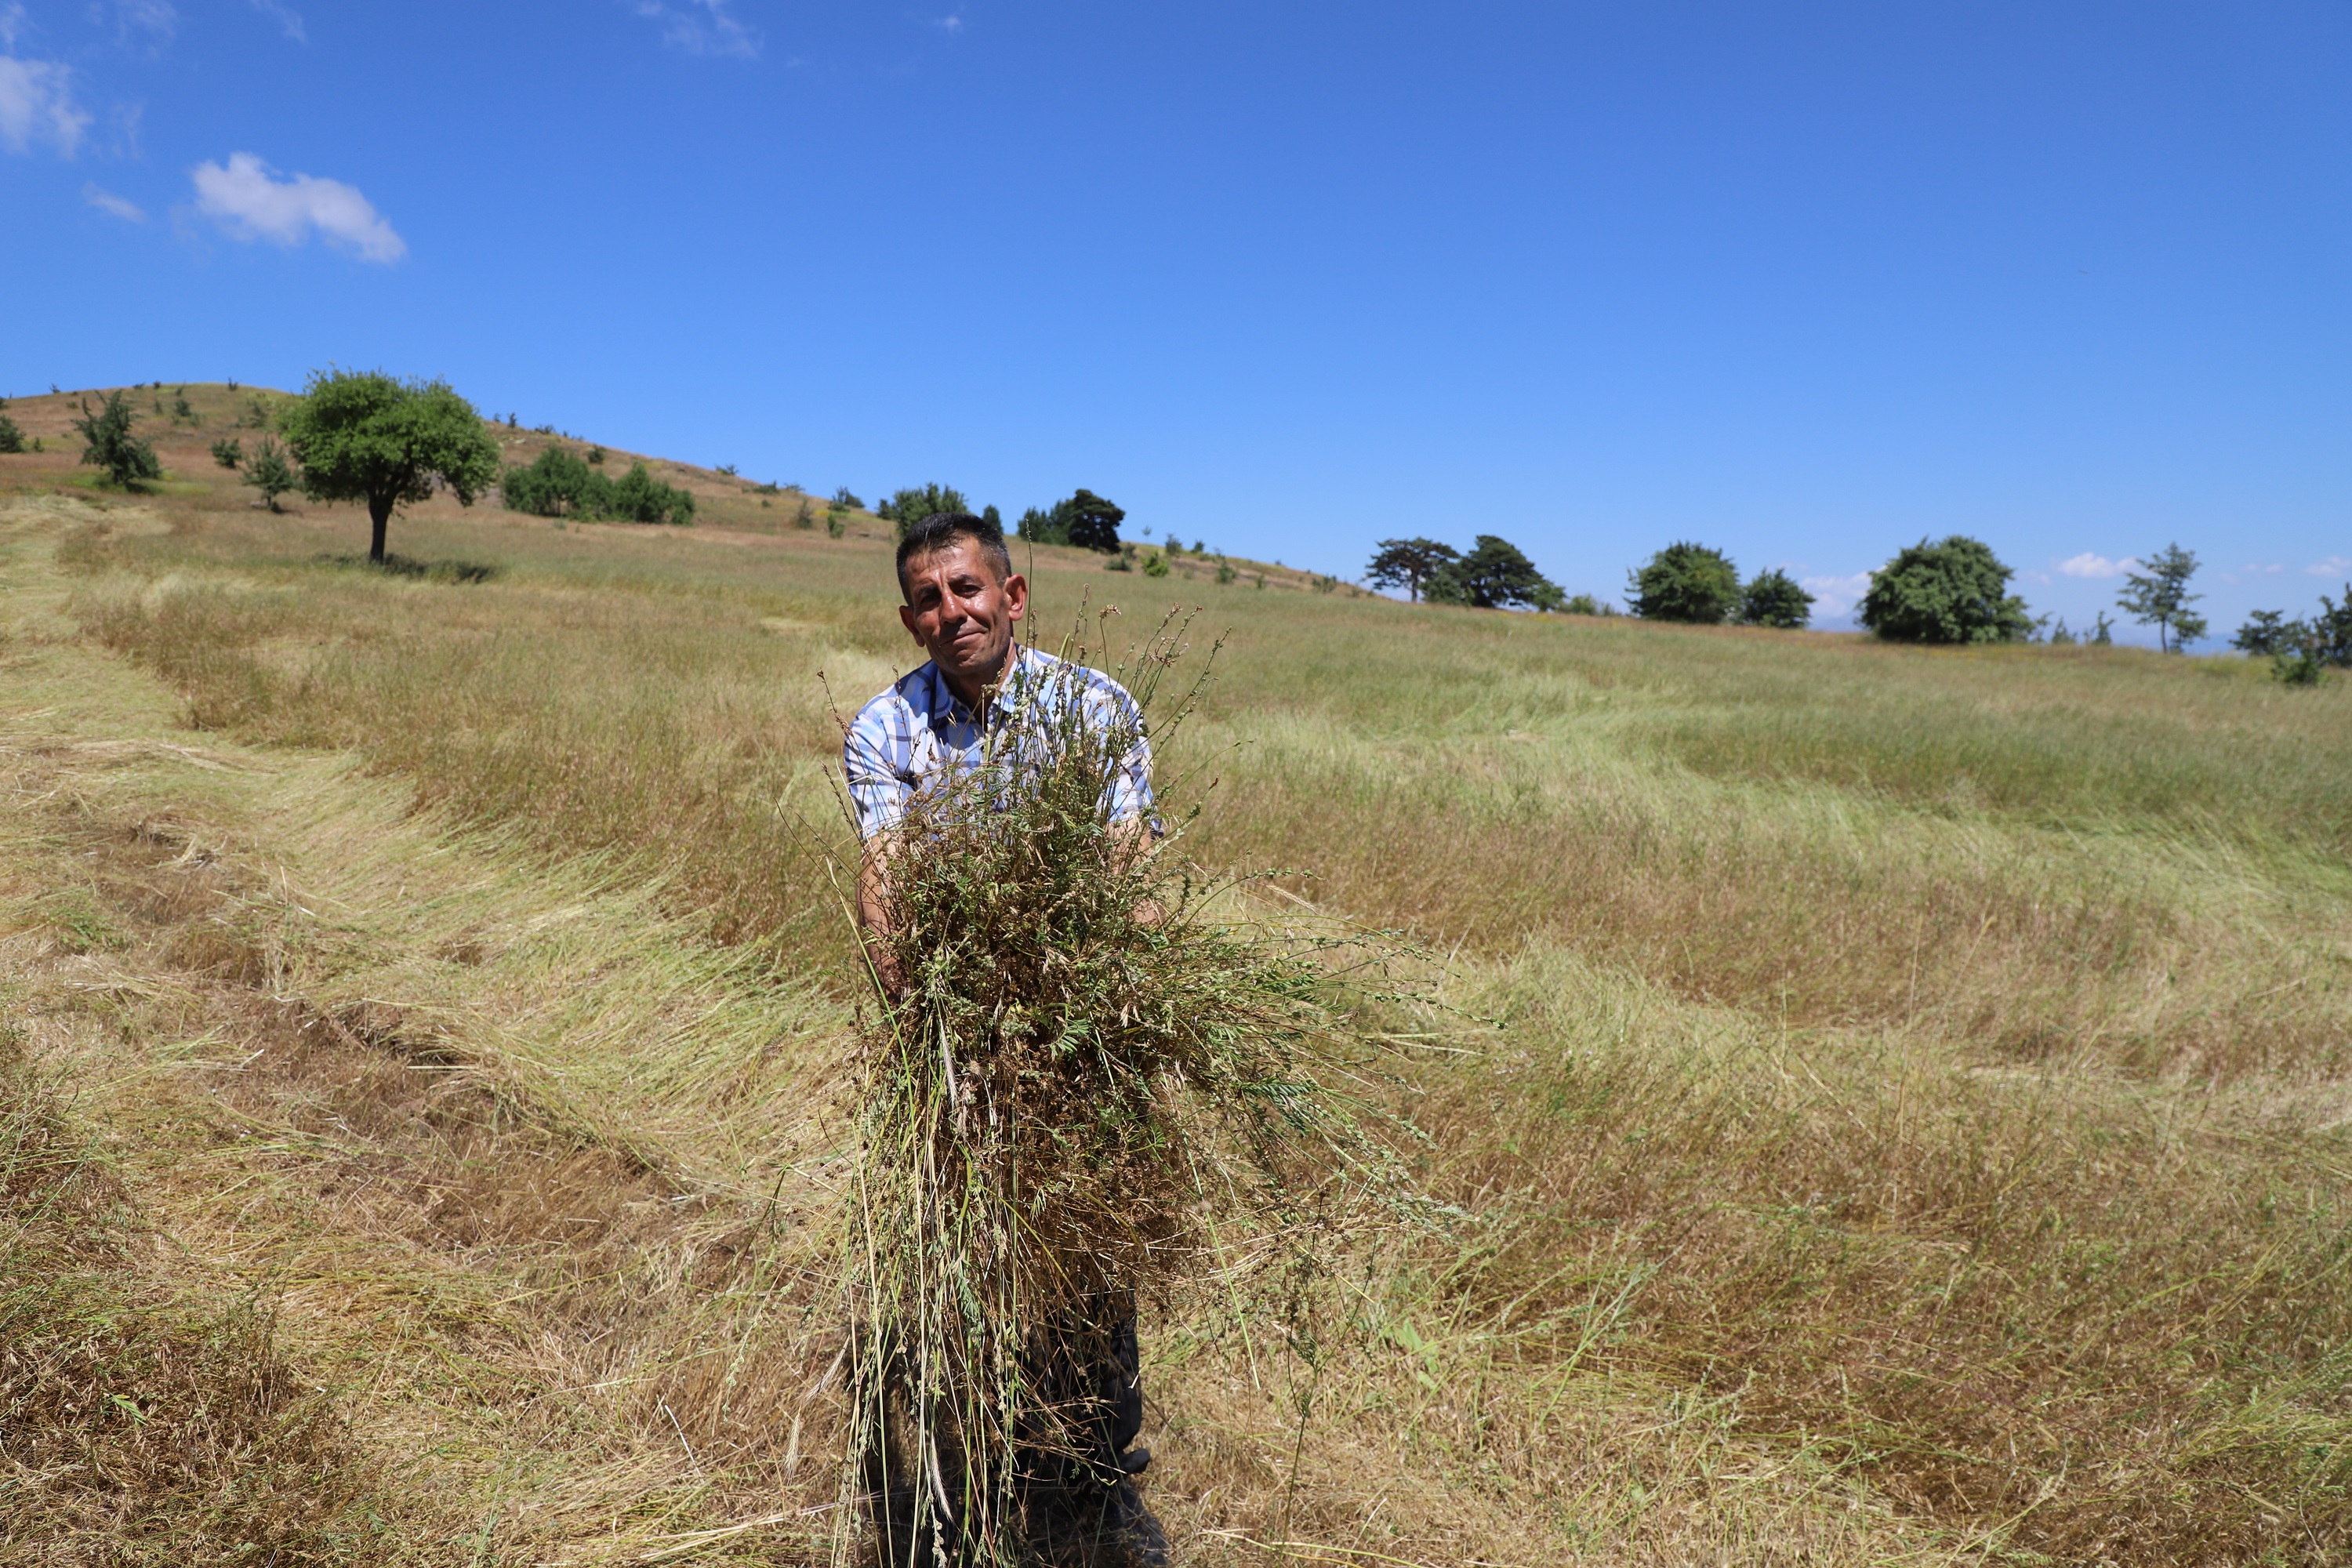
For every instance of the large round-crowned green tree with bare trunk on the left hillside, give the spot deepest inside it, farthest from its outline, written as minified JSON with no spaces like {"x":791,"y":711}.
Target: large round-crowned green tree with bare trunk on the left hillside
{"x":363,"y":436}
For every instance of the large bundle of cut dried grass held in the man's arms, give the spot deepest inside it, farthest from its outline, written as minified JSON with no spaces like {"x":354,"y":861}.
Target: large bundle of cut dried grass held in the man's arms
{"x":1090,"y":1078}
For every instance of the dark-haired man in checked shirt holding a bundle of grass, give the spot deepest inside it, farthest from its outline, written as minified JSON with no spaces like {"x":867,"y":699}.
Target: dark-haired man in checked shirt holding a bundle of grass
{"x":963,"y":603}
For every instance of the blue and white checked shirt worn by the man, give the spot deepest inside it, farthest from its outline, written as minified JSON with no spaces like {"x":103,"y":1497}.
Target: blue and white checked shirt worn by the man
{"x":918,"y":730}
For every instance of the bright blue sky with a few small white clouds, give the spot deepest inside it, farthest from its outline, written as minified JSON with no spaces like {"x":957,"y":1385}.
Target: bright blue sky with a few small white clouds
{"x":1798,"y":281}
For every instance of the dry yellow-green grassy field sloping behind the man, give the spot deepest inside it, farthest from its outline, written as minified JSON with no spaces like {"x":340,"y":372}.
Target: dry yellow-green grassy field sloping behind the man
{"x":1909,"y":1120}
